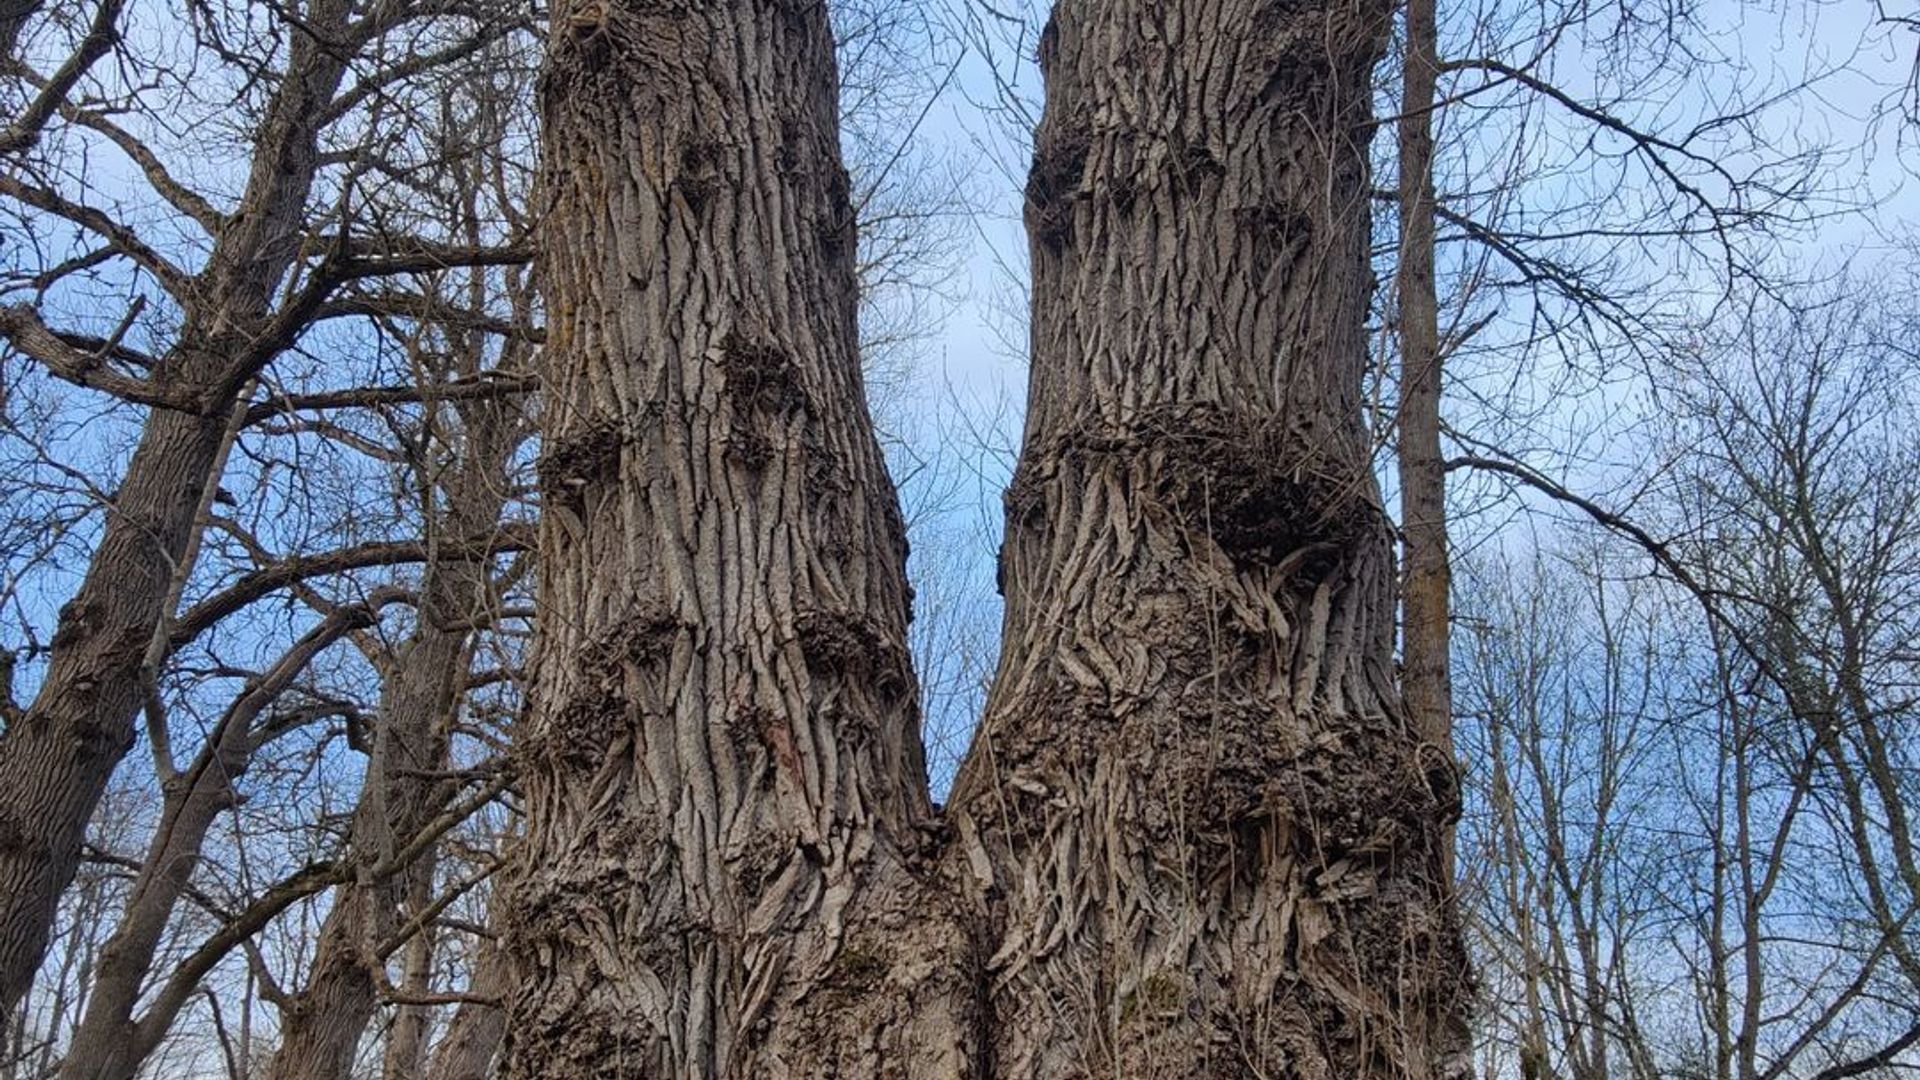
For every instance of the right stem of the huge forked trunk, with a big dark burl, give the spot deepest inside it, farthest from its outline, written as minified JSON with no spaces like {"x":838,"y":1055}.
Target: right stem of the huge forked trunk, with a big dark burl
{"x":1209,"y":837}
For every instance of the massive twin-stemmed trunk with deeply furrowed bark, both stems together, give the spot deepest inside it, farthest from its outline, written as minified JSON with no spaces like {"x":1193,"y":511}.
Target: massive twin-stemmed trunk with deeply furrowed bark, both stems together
{"x":1195,"y":835}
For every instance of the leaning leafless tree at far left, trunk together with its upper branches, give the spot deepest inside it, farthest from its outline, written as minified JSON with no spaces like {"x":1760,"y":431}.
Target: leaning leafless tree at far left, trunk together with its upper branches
{"x":254,"y":280}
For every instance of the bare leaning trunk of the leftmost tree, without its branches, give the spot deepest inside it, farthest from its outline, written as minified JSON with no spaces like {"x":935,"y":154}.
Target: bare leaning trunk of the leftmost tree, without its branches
{"x":57,"y":760}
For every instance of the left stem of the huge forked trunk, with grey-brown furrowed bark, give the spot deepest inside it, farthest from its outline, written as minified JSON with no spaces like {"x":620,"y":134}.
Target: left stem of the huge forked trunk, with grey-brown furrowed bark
{"x":723,"y":772}
